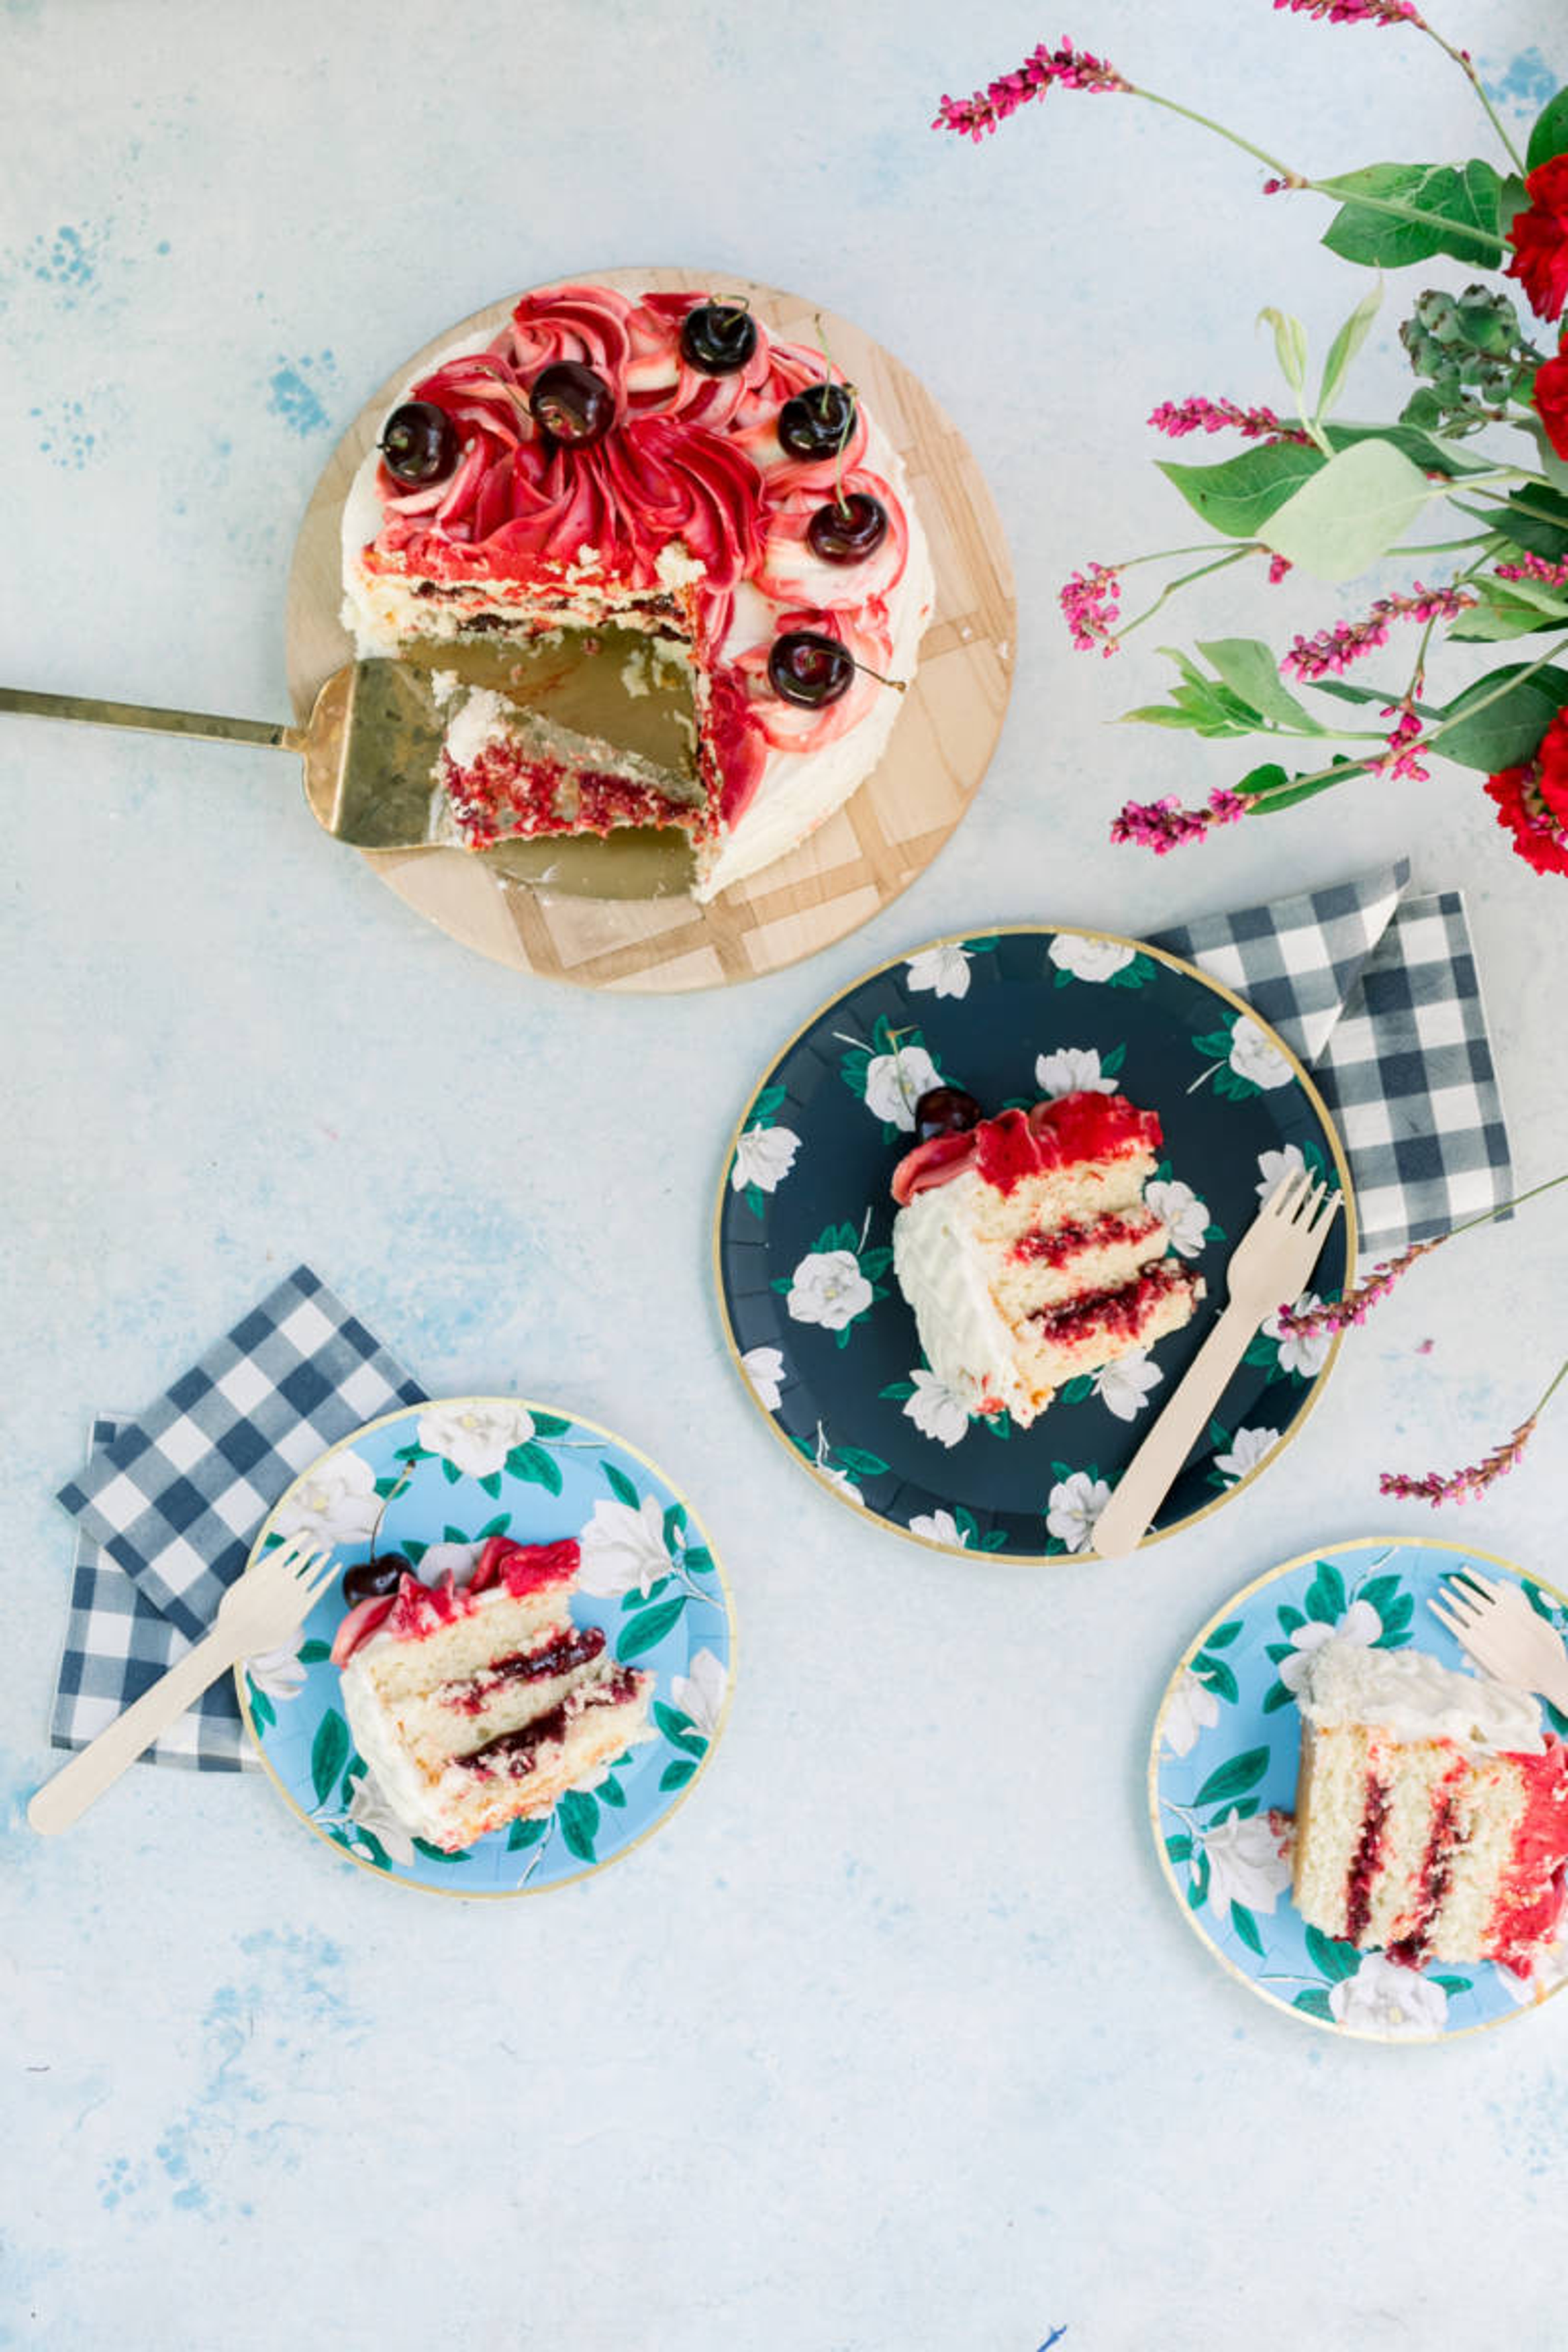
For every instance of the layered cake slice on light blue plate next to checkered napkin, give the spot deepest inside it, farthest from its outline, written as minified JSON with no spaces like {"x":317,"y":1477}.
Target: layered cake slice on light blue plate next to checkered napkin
{"x":485,"y":1704}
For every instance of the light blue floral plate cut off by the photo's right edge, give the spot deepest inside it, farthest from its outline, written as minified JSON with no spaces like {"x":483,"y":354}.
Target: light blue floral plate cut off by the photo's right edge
{"x":1226,"y":1751}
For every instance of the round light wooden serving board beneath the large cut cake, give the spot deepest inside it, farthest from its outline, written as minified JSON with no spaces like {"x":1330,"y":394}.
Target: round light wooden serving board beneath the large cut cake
{"x":852,"y":867}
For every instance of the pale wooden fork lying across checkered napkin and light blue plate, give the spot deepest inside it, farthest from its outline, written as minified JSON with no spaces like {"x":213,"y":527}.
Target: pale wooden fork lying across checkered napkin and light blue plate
{"x":260,"y":1610}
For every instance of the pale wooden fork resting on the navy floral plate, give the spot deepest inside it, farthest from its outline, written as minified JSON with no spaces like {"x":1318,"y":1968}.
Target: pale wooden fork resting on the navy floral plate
{"x":1271,"y":1262}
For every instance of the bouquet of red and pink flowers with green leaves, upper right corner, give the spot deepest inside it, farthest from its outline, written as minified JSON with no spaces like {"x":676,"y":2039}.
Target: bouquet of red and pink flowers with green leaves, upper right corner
{"x":1327,"y":497}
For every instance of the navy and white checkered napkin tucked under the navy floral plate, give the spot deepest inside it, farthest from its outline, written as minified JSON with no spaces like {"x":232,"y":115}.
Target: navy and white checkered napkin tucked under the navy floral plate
{"x":1379,"y":996}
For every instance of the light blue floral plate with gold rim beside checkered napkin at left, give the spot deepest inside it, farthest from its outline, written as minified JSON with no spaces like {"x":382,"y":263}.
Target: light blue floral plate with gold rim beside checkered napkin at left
{"x":445,"y":1478}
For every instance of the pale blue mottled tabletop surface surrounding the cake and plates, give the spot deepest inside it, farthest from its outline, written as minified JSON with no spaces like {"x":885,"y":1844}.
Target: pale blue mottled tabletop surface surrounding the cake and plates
{"x":894,"y":2040}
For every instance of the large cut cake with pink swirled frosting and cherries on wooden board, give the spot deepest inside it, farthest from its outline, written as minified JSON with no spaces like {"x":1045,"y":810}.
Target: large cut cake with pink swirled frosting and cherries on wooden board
{"x":662,"y":469}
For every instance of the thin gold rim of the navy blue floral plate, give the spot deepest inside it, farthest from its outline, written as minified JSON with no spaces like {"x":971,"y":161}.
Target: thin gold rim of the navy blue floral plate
{"x":1174,"y":963}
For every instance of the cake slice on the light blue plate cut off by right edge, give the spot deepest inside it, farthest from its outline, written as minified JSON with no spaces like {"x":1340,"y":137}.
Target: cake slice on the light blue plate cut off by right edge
{"x":1430,"y":1810}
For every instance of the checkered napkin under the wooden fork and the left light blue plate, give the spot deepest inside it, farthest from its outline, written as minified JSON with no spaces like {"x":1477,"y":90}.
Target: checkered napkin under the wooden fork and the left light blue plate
{"x":170,"y":1504}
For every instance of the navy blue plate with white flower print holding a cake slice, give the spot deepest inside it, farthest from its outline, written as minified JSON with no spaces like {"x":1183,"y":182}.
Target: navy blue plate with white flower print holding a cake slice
{"x":803,"y":1229}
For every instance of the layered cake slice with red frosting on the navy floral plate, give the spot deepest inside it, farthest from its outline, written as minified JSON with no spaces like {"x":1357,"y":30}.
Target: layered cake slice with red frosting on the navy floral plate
{"x":1028,"y":1252}
